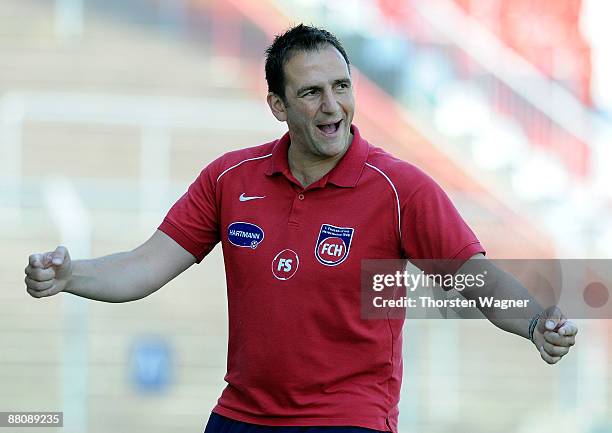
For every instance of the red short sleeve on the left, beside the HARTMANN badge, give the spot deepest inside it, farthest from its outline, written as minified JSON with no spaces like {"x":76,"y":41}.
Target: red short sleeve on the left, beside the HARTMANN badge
{"x":193,"y":220}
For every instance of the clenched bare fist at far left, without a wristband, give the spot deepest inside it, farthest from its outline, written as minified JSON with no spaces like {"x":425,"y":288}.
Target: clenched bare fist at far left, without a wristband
{"x":48,"y":273}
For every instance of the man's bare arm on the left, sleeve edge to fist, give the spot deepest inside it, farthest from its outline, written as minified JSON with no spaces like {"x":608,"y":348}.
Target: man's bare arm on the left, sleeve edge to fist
{"x":120,"y":277}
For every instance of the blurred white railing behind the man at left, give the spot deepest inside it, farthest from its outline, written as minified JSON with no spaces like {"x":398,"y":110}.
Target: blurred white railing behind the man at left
{"x":156,"y":117}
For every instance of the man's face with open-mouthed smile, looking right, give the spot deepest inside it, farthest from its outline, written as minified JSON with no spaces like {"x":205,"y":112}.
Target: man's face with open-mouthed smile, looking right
{"x":319,"y":103}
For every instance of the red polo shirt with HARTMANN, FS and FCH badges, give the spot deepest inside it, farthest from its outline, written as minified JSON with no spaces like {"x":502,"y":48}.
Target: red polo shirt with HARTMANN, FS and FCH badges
{"x":299,"y":352}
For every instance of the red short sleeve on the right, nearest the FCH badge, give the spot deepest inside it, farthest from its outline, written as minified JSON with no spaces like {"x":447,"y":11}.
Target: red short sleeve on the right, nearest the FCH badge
{"x":432,"y":228}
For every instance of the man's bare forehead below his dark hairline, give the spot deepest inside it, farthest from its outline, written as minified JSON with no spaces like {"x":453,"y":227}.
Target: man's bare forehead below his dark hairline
{"x":315,"y":67}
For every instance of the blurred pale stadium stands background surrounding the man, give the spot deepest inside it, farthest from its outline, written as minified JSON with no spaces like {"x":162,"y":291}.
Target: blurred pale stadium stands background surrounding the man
{"x":110,"y":108}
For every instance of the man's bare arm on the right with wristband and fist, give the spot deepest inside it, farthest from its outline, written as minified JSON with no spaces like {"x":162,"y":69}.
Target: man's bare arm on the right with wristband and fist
{"x":553,"y":333}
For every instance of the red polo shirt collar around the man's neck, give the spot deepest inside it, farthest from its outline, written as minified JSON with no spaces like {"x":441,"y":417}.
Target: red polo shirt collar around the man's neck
{"x":345,"y":174}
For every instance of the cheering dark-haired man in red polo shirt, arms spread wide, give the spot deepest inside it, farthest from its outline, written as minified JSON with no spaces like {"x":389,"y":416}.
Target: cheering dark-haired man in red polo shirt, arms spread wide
{"x":295,"y":218}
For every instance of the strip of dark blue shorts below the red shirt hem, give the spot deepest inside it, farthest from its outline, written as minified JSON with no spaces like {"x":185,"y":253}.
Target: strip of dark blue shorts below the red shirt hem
{"x":221,"y":424}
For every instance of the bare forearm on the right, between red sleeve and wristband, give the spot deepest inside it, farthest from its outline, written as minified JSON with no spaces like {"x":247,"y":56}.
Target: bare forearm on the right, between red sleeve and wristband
{"x":503,"y":286}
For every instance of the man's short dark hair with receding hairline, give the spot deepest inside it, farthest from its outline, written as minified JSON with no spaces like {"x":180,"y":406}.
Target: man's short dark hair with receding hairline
{"x":298,"y":38}
